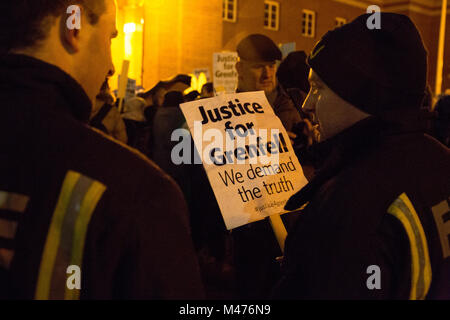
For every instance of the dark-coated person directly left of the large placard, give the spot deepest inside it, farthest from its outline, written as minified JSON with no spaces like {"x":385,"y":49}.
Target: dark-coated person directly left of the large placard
{"x":211,"y":239}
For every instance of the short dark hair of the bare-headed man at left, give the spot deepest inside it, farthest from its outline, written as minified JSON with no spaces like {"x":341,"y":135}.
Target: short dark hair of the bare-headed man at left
{"x":26,"y":22}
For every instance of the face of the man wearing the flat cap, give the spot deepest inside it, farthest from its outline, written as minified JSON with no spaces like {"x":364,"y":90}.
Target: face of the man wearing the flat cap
{"x":257,"y":75}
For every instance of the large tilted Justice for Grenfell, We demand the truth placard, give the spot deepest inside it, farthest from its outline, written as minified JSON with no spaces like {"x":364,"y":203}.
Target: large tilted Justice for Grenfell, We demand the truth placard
{"x":246,"y":153}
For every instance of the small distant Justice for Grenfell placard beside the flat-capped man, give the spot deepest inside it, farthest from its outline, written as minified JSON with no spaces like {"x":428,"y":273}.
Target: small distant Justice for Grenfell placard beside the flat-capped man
{"x":225,"y":76}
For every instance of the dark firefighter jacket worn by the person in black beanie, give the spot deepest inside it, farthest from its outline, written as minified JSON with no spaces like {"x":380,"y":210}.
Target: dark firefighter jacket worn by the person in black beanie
{"x":376,"y":224}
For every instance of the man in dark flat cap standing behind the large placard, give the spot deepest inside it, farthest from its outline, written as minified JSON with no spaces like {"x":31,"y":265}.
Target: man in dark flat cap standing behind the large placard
{"x":255,"y":247}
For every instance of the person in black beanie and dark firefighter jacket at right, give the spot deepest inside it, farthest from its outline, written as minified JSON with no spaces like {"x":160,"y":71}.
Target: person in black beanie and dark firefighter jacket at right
{"x":375,"y":225}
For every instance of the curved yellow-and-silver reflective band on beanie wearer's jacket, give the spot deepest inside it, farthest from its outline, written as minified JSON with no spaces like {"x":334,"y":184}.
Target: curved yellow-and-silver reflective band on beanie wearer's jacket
{"x":404,"y":211}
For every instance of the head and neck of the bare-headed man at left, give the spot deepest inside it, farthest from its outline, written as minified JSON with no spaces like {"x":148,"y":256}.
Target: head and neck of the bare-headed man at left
{"x":73,"y":35}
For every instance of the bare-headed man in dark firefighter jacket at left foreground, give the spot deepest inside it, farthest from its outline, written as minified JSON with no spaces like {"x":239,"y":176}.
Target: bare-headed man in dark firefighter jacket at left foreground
{"x":80,"y":215}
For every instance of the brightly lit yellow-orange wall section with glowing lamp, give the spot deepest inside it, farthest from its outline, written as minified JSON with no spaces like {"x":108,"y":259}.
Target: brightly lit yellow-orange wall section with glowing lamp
{"x":171,"y":29}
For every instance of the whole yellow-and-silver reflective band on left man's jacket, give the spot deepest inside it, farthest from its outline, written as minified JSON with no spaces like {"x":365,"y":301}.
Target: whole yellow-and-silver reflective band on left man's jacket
{"x":66,"y":236}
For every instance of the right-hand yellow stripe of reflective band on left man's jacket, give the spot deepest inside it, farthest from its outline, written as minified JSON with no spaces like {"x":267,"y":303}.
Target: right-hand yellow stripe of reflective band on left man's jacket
{"x":88,"y":206}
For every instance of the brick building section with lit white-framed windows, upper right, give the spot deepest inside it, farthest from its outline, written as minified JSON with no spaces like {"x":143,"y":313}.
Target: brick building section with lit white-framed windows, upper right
{"x":305,"y":21}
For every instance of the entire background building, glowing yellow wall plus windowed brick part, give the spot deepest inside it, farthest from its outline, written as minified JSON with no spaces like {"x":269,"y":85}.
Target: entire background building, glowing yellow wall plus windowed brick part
{"x":162,"y":38}
